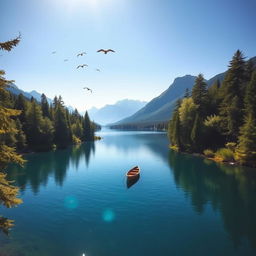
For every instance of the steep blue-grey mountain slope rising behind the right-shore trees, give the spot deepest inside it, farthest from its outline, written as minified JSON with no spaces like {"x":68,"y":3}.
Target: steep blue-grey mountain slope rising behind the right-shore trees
{"x":159,"y":109}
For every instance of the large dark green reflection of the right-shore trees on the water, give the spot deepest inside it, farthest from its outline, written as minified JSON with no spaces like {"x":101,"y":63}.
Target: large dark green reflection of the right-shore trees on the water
{"x":229,"y":190}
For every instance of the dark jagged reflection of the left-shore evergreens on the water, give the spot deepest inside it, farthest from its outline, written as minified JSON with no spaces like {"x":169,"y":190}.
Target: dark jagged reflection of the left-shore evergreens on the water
{"x":40,"y":167}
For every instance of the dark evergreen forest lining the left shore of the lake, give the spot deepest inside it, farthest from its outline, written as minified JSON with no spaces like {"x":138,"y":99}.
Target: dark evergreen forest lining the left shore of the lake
{"x":41,"y":126}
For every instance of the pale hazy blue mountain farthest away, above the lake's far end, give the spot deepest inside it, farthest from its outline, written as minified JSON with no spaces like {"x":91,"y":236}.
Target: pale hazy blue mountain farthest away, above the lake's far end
{"x":112,"y":113}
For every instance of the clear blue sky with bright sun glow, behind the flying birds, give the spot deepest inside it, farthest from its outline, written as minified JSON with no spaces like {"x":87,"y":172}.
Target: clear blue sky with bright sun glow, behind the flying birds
{"x":155,"y":41}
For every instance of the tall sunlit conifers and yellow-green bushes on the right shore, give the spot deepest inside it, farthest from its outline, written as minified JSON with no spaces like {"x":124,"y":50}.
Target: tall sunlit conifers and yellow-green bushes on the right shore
{"x":220,"y":120}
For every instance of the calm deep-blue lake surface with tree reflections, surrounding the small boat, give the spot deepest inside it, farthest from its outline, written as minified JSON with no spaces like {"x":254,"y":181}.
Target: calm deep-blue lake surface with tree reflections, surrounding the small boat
{"x":77,"y":201}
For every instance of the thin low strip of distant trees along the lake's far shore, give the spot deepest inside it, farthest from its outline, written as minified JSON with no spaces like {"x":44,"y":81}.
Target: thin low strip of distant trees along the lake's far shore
{"x":157,"y":126}
